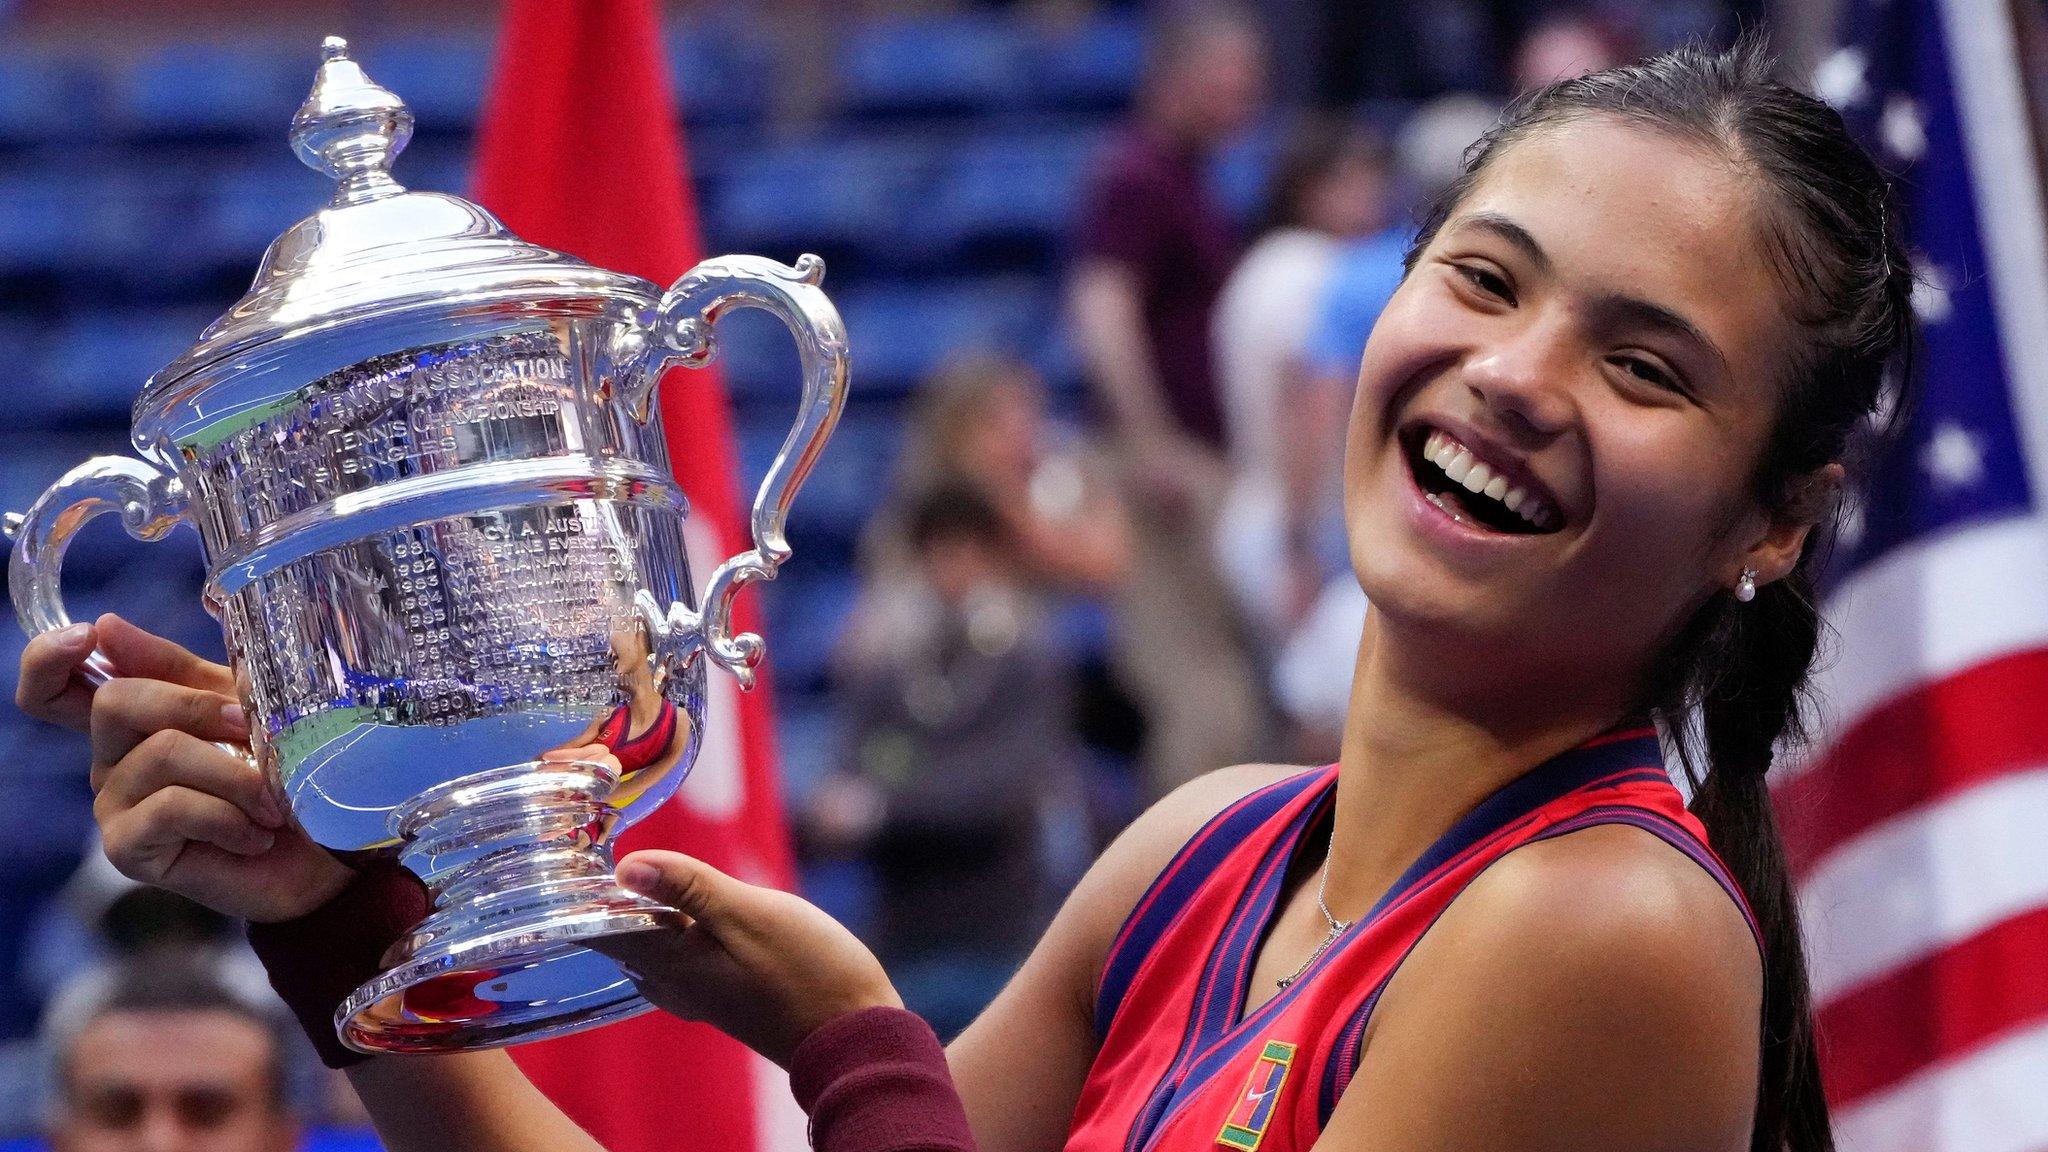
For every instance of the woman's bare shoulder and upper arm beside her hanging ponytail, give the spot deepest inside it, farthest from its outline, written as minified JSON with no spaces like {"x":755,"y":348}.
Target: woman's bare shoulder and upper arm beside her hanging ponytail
{"x":1594,"y":991}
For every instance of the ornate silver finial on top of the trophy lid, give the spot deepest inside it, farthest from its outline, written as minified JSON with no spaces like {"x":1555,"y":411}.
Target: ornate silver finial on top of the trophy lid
{"x":351,"y":128}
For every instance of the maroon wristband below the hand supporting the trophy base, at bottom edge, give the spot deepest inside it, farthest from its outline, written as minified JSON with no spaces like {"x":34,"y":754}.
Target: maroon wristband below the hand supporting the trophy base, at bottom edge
{"x":878,"y":1081}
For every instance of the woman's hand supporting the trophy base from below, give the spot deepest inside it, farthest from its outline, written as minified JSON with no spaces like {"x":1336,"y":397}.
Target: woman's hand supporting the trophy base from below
{"x":757,"y":964}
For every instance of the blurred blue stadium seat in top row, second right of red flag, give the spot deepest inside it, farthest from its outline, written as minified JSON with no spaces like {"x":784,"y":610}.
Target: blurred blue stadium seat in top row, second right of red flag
{"x":933,"y":67}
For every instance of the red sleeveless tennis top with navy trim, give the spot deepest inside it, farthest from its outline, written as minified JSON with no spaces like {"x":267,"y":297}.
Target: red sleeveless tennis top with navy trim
{"x":1179,"y":1071}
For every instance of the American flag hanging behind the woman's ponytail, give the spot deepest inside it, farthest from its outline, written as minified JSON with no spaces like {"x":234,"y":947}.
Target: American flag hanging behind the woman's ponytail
{"x":1920,"y":825}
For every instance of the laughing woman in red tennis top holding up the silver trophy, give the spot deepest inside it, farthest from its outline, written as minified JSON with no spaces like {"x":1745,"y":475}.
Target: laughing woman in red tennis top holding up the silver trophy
{"x":1590,"y":472}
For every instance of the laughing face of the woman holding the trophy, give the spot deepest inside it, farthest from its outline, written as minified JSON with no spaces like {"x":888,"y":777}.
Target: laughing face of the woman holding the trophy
{"x":1598,"y":329}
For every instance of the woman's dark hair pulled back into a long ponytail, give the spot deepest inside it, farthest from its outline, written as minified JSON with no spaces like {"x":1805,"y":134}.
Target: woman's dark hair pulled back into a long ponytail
{"x":1734,"y":684}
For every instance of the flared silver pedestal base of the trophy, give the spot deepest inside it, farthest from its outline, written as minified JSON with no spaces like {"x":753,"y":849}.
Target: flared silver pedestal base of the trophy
{"x":523,"y":882}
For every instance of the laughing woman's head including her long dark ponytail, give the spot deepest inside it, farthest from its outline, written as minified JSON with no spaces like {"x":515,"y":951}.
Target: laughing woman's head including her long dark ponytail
{"x":1666,"y":294}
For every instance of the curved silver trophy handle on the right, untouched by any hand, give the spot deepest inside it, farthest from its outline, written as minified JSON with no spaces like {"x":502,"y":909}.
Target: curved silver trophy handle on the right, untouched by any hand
{"x":683,"y":329}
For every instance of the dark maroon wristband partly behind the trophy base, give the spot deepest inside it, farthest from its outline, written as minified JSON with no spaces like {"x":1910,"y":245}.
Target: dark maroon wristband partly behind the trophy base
{"x":321,"y":958}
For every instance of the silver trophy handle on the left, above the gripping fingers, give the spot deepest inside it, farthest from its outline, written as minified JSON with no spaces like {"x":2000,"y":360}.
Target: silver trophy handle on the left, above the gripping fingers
{"x":151,"y":503}
